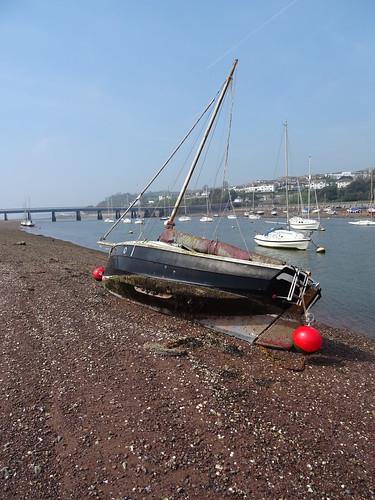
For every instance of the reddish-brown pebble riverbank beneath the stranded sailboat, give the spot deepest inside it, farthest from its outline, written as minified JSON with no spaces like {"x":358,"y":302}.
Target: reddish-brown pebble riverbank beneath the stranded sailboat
{"x":94,"y":405}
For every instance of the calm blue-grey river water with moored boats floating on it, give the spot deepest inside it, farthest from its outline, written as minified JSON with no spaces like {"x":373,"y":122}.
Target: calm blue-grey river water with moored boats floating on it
{"x":346,"y":271}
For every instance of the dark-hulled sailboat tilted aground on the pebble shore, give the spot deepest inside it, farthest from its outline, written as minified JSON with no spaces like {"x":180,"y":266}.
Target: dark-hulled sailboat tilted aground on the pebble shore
{"x":198,"y":278}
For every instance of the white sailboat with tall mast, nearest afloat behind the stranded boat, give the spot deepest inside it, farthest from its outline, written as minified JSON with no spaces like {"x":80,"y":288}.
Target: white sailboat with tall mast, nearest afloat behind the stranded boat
{"x":279,"y":237}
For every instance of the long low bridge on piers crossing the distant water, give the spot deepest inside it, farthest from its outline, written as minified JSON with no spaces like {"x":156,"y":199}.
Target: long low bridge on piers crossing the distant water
{"x":77,"y":210}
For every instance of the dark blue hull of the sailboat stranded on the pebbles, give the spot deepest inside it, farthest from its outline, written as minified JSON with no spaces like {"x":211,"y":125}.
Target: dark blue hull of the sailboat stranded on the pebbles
{"x":192,"y":284}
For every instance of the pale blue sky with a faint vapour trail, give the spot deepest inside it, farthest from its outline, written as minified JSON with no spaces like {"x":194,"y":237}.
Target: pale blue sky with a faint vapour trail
{"x":95,"y":95}
